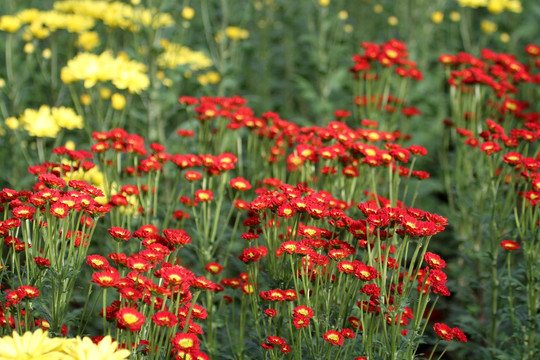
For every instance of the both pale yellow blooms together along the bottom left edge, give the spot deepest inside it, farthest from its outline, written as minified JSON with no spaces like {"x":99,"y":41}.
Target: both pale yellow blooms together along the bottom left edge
{"x":38,"y":345}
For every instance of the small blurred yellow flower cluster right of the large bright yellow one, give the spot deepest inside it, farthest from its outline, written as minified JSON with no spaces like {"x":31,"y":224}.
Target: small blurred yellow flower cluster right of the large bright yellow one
{"x":175,"y":55}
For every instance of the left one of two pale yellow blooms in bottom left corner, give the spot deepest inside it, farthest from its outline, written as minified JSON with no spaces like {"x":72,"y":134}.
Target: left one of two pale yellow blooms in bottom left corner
{"x":32,"y":345}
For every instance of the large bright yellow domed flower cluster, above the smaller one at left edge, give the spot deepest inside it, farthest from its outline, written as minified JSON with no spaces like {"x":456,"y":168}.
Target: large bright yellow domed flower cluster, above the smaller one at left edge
{"x":121,"y":71}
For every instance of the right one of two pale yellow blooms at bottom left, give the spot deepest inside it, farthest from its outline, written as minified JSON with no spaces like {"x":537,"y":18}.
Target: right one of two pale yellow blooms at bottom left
{"x":85,"y":349}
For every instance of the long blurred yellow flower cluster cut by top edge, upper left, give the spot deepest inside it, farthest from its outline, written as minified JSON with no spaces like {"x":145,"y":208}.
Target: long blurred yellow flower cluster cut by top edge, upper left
{"x":117,"y":14}
